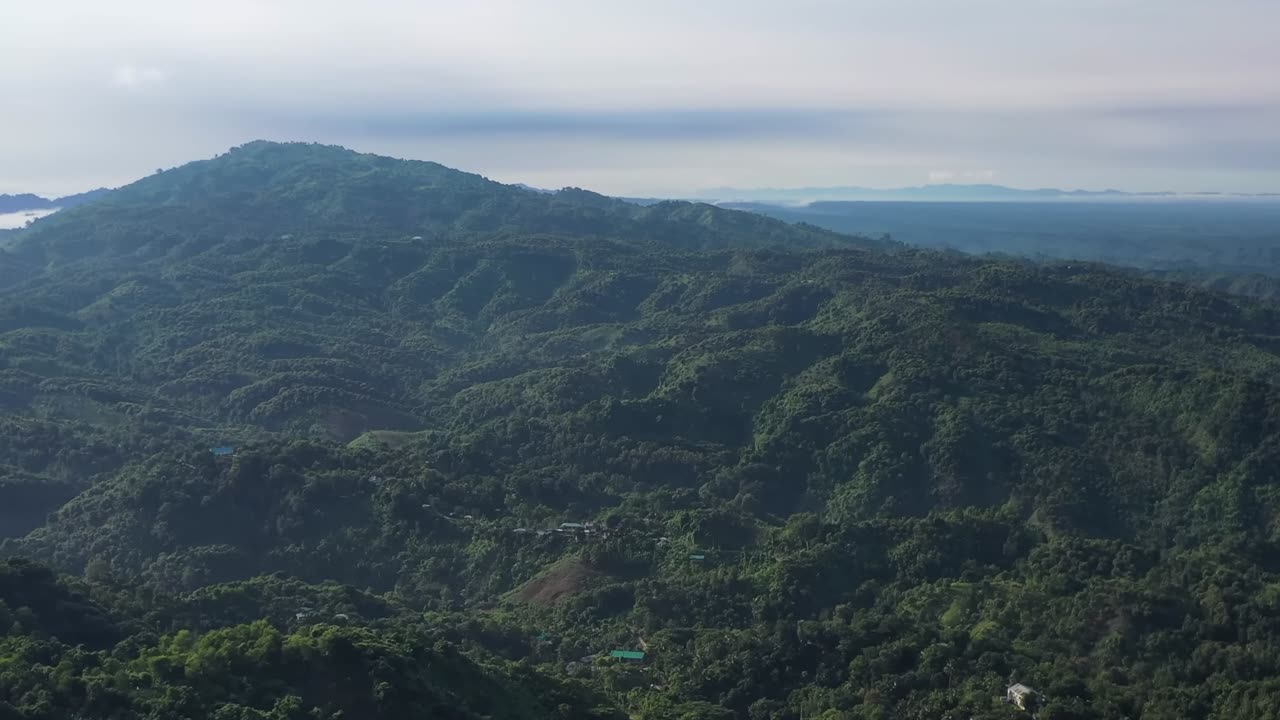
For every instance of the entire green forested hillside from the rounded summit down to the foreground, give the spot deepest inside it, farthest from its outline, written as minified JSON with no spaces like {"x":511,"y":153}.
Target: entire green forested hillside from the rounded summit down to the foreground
{"x":804,"y":475}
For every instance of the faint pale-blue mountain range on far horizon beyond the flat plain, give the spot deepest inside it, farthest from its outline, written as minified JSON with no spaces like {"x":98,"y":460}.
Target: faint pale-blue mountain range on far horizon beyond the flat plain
{"x":944,"y":194}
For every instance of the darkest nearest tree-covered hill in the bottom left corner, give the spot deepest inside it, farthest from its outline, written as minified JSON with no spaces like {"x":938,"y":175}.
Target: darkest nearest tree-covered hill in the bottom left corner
{"x":53,"y":666}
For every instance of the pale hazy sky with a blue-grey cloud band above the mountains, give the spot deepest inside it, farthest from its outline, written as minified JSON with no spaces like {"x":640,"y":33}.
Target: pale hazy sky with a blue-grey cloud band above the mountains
{"x":657,"y":98}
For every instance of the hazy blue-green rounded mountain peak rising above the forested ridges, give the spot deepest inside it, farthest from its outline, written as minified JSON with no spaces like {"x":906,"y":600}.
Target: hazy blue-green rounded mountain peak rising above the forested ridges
{"x":275,"y":190}
